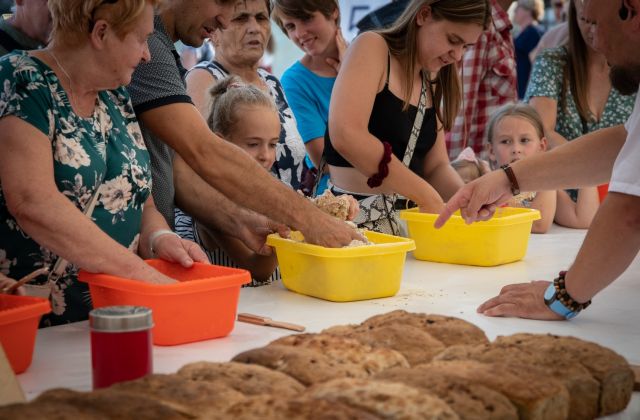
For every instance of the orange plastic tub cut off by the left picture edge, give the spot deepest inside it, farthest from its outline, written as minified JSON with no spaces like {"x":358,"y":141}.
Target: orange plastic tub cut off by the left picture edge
{"x":19,"y":318}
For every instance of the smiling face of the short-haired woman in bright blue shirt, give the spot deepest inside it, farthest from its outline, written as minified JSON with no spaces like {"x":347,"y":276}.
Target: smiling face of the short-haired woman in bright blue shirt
{"x":315,"y":36}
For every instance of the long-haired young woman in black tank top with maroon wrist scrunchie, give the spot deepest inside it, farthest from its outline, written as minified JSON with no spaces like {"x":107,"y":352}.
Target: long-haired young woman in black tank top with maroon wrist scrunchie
{"x":374,"y":106}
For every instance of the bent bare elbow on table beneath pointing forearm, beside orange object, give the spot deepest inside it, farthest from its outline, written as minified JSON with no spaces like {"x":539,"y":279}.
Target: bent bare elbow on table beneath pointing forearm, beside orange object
{"x":577,"y":215}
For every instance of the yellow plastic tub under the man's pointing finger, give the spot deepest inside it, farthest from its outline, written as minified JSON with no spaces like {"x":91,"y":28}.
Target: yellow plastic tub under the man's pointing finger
{"x":500,"y":240}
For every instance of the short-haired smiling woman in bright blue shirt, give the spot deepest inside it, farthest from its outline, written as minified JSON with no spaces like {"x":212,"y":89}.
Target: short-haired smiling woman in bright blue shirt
{"x":314,"y":27}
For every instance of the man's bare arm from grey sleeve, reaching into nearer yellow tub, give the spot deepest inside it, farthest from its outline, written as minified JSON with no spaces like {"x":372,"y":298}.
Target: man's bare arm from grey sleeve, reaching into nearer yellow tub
{"x":231,"y":171}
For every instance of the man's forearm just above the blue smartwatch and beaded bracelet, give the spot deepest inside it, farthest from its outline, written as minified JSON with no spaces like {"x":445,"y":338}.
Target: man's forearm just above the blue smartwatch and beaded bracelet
{"x":613,"y":241}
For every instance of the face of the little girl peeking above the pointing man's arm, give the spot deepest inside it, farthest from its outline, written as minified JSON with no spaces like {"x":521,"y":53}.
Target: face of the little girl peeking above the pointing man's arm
{"x":515,"y":138}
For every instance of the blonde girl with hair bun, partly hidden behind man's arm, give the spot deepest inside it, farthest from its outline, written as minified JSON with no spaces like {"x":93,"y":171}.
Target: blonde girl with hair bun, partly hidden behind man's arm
{"x":247,"y":117}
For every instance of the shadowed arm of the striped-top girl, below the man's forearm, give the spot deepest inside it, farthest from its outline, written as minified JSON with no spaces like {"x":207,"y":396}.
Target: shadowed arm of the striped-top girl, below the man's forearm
{"x":260,"y":266}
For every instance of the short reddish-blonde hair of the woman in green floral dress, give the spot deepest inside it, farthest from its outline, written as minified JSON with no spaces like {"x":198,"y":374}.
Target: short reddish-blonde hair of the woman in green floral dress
{"x":73,"y":20}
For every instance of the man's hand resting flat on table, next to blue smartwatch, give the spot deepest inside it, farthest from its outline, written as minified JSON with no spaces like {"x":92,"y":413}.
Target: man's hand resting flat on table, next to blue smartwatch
{"x":524,"y":300}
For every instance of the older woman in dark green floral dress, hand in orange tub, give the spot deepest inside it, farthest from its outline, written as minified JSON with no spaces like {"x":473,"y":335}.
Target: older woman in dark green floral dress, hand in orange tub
{"x":70,"y":140}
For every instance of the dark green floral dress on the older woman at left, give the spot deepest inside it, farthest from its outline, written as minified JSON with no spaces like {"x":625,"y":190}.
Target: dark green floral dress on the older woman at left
{"x":105,"y":150}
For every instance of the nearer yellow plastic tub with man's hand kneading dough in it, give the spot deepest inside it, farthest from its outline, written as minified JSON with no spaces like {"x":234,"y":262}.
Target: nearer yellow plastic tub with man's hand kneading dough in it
{"x":343,"y":274}
